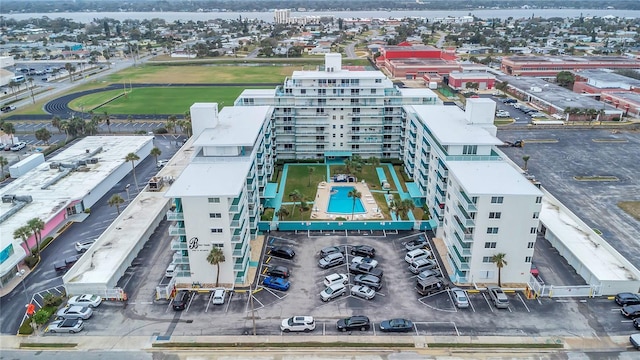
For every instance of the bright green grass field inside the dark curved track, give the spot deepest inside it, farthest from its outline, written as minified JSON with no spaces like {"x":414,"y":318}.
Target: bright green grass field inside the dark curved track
{"x":157,"y":100}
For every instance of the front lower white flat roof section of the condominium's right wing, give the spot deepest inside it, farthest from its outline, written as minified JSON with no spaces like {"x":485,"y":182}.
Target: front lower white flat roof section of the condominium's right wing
{"x":491,"y":178}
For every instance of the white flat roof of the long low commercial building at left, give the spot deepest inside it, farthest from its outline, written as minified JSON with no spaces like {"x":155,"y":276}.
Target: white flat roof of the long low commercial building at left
{"x":48,"y":200}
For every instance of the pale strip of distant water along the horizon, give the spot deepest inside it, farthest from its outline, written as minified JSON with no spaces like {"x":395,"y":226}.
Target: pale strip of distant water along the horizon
{"x":85,"y":17}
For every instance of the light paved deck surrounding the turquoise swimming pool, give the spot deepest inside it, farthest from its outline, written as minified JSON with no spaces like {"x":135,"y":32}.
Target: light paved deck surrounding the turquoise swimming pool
{"x":321,"y":202}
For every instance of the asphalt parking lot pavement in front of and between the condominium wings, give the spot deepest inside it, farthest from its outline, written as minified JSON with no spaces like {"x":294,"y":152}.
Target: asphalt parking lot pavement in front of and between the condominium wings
{"x":433,"y":315}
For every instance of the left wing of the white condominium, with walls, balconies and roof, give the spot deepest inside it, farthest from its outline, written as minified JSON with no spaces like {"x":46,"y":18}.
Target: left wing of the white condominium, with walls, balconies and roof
{"x":217,"y":196}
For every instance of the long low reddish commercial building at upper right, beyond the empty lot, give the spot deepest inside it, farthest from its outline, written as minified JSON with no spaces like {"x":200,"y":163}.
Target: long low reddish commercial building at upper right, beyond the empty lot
{"x":550,"y":66}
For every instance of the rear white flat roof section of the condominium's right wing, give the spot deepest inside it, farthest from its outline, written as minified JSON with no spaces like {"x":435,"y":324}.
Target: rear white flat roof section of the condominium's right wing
{"x":450,"y":127}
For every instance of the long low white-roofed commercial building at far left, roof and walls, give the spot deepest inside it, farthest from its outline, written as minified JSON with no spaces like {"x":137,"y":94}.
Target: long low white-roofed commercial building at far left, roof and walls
{"x":61,"y":189}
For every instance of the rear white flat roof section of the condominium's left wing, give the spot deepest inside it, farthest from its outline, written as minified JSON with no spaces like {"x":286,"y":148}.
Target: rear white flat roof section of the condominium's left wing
{"x":229,"y":133}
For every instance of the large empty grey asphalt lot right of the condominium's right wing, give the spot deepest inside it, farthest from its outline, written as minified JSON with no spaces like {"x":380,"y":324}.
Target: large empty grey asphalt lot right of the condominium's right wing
{"x":588,"y":152}
